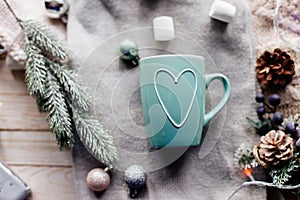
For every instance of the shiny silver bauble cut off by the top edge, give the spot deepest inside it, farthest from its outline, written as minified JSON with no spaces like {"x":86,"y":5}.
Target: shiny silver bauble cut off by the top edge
{"x":56,"y":8}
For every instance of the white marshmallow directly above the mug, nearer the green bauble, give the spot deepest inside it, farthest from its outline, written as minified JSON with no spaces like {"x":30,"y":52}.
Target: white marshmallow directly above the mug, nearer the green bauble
{"x":163,"y":28}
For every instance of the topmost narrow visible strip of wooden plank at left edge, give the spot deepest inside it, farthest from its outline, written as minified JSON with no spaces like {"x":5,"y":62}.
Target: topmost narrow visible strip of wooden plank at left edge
{"x":13,"y":88}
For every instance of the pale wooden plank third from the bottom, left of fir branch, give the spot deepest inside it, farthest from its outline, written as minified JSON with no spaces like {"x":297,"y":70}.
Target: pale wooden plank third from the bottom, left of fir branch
{"x":20,"y":113}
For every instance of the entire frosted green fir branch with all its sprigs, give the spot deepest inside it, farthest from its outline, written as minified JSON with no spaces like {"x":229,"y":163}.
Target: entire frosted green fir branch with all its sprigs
{"x":60,"y":92}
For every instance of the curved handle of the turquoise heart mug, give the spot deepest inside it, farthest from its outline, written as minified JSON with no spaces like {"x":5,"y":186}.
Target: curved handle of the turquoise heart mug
{"x":208,"y":79}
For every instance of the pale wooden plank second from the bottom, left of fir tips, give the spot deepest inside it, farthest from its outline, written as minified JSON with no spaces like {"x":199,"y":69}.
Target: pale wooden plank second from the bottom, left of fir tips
{"x":32,"y":148}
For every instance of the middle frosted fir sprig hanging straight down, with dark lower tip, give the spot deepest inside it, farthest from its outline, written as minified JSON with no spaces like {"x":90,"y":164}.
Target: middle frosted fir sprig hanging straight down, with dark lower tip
{"x":59,"y":118}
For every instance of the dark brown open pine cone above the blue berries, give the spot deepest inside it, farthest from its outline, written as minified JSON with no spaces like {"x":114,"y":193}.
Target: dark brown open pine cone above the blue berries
{"x":275,"y":69}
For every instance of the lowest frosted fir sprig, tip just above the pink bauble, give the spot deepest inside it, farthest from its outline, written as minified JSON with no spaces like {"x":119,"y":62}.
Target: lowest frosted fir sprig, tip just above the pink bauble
{"x":95,"y":138}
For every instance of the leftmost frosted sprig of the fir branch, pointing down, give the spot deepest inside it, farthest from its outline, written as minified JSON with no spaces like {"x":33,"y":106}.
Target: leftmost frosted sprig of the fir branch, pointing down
{"x":35,"y":70}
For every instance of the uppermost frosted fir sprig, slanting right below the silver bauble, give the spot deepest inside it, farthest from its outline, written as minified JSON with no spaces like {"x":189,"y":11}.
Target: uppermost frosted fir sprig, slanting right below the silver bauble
{"x":43,"y":38}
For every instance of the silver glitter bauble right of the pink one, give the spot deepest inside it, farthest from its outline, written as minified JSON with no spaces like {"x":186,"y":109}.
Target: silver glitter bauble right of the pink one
{"x":136,"y":177}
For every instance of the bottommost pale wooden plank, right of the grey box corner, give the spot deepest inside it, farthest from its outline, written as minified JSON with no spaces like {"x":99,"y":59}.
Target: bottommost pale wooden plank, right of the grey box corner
{"x":48,"y":182}
